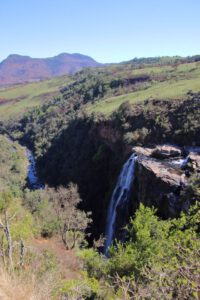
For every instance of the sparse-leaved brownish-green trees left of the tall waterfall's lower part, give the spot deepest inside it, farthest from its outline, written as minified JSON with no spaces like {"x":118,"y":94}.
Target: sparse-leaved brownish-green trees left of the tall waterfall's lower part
{"x":56,"y":213}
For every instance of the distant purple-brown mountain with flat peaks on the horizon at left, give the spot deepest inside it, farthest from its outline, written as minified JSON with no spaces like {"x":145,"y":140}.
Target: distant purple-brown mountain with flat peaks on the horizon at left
{"x":17,"y":69}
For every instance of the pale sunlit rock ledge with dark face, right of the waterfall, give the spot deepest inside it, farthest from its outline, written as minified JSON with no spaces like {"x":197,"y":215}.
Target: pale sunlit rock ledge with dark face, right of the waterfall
{"x":160,"y":180}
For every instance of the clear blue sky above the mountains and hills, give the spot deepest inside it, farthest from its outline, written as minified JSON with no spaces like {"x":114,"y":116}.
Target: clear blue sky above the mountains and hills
{"x":107,"y":30}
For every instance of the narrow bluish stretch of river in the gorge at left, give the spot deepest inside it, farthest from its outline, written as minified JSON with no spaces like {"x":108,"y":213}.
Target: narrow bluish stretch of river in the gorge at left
{"x":33,"y":179}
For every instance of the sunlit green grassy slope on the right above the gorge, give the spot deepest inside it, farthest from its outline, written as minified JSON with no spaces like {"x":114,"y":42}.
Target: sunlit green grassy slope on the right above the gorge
{"x":179,"y":81}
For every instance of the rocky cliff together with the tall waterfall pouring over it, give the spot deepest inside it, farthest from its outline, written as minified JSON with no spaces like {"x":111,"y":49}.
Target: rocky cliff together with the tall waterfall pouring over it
{"x":159,"y":178}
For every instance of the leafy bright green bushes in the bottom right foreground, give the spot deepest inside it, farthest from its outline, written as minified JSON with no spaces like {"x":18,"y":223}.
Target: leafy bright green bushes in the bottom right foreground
{"x":159,"y":260}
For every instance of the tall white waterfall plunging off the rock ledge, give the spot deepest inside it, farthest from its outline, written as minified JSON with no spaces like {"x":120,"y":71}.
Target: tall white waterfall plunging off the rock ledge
{"x":120,"y":197}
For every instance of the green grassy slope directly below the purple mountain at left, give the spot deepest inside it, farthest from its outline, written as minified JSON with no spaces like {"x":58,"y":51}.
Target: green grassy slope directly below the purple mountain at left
{"x":17,"y":99}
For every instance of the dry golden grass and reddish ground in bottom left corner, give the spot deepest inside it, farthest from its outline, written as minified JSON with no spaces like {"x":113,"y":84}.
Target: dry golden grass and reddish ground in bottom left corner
{"x":33,"y":281}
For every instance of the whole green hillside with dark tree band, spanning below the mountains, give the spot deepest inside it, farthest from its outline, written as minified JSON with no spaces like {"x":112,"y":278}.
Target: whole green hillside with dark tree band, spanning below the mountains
{"x":105,"y":89}
